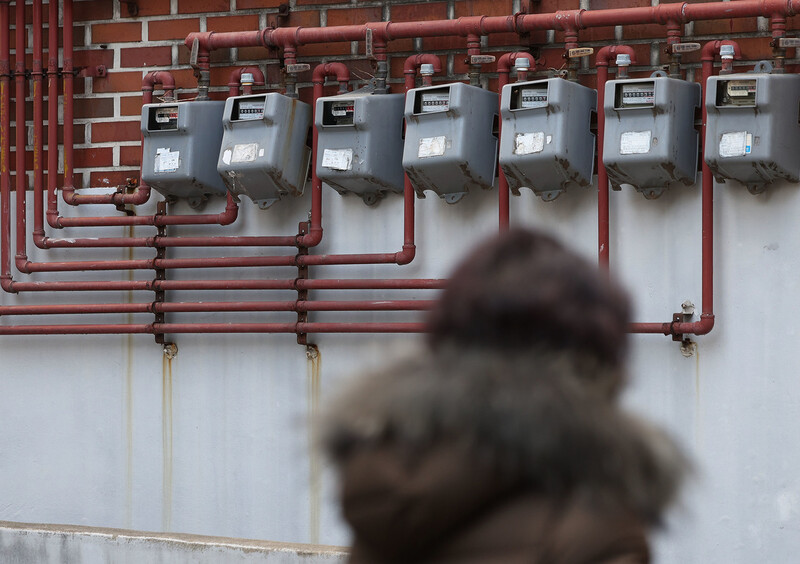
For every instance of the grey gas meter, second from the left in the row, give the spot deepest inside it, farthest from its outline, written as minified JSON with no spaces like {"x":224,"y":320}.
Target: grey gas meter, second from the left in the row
{"x":265,"y":152}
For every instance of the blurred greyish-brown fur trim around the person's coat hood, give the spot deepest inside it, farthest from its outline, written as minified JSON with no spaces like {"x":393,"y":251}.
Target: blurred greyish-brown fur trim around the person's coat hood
{"x":549,"y":418}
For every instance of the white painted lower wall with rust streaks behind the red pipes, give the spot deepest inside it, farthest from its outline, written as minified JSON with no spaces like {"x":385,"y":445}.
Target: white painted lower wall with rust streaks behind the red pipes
{"x":104,"y":431}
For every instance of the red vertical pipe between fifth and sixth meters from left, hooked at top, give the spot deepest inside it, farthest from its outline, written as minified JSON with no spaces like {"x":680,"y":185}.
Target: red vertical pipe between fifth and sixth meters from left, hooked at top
{"x":604,"y":55}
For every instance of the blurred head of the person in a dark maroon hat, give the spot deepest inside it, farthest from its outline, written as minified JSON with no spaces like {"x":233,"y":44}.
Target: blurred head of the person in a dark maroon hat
{"x":522,"y":290}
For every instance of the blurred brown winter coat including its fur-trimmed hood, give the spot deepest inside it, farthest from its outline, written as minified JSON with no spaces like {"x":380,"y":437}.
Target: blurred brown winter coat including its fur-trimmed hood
{"x":475,"y":458}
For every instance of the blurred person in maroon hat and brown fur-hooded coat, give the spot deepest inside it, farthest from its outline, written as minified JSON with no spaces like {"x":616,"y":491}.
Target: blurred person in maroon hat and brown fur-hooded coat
{"x":501,"y":439}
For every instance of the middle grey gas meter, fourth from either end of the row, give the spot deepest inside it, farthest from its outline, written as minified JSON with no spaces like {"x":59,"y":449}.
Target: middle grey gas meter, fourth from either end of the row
{"x":450,"y":144}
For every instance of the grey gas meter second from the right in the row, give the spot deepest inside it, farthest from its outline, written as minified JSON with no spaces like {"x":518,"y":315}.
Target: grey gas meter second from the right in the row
{"x":650,"y":140}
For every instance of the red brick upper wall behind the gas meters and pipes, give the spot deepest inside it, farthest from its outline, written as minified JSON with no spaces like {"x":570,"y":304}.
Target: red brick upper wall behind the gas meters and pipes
{"x":107,"y":109}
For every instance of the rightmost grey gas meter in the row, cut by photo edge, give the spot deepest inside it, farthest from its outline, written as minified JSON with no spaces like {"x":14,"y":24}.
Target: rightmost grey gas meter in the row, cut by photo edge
{"x":752,"y":131}
